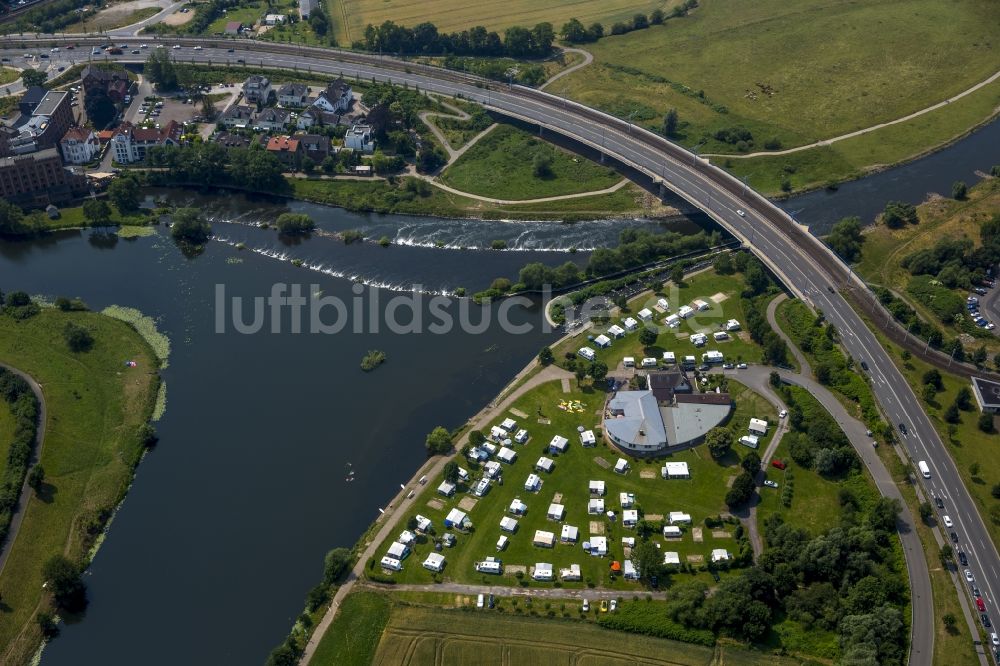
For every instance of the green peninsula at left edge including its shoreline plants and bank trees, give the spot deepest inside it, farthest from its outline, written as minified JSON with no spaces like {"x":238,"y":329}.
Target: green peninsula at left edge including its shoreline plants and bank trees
{"x":101,"y":380}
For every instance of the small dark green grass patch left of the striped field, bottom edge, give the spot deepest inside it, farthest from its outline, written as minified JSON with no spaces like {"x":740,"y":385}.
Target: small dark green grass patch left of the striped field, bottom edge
{"x":356,"y":631}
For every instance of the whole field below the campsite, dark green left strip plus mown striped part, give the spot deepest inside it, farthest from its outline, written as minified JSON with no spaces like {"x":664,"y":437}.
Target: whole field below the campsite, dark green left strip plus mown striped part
{"x":409,"y":629}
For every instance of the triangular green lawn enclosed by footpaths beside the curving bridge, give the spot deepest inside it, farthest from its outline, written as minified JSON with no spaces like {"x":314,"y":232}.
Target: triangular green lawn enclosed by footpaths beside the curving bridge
{"x":501,"y":165}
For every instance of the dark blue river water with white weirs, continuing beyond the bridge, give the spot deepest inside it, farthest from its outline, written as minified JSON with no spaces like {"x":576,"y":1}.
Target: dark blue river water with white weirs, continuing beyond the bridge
{"x":209,"y":559}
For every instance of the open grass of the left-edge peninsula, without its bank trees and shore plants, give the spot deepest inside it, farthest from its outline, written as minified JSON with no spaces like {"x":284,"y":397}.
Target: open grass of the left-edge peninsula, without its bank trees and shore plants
{"x":95,"y":407}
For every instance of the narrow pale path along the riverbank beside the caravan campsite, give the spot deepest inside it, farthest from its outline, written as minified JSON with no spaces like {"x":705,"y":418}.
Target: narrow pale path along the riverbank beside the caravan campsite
{"x":430,"y":469}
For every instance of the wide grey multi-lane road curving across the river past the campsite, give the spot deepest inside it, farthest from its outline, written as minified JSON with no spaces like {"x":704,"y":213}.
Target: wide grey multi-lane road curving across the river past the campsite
{"x":805,"y":266}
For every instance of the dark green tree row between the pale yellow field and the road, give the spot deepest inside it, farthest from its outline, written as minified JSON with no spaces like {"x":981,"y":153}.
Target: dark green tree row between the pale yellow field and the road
{"x":424,"y":38}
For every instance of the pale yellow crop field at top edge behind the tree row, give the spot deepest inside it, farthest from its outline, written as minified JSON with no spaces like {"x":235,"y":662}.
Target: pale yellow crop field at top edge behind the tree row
{"x":351,"y":16}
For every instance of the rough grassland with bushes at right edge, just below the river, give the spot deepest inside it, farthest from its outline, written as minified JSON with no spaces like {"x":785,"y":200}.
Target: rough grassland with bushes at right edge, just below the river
{"x":940,"y":219}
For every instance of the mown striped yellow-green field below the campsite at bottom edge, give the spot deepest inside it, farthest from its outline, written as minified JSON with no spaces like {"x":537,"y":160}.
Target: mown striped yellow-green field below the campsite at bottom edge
{"x":416,"y":634}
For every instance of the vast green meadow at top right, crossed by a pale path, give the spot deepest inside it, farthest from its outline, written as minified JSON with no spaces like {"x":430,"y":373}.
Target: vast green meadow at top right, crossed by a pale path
{"x":799,"y":73}
